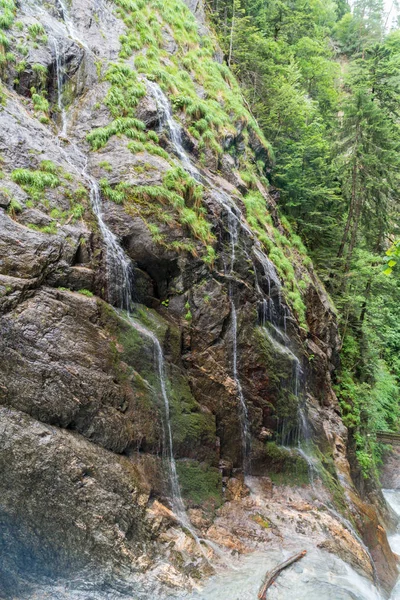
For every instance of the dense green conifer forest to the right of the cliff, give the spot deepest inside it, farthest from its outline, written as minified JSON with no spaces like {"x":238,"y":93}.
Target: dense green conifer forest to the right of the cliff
{"x":323,"y":82}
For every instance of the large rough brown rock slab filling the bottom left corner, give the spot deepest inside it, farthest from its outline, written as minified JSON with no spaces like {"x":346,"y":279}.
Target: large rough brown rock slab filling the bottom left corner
{"x":100,"y":494}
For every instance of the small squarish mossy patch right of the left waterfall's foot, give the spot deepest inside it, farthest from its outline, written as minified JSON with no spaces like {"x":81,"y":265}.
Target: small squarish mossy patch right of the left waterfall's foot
{"x":200,"y":484}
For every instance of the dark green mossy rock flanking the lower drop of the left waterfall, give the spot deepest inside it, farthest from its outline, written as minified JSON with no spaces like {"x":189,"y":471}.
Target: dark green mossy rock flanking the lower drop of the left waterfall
{"x":193,"y":427}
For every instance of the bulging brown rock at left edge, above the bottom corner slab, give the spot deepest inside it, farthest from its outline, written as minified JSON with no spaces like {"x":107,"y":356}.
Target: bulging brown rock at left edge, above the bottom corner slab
{"x":62,"y":366}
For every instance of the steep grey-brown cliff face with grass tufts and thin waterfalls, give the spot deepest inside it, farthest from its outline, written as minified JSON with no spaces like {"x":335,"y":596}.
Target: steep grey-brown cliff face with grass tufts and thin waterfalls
{"x":123,"y":137}
